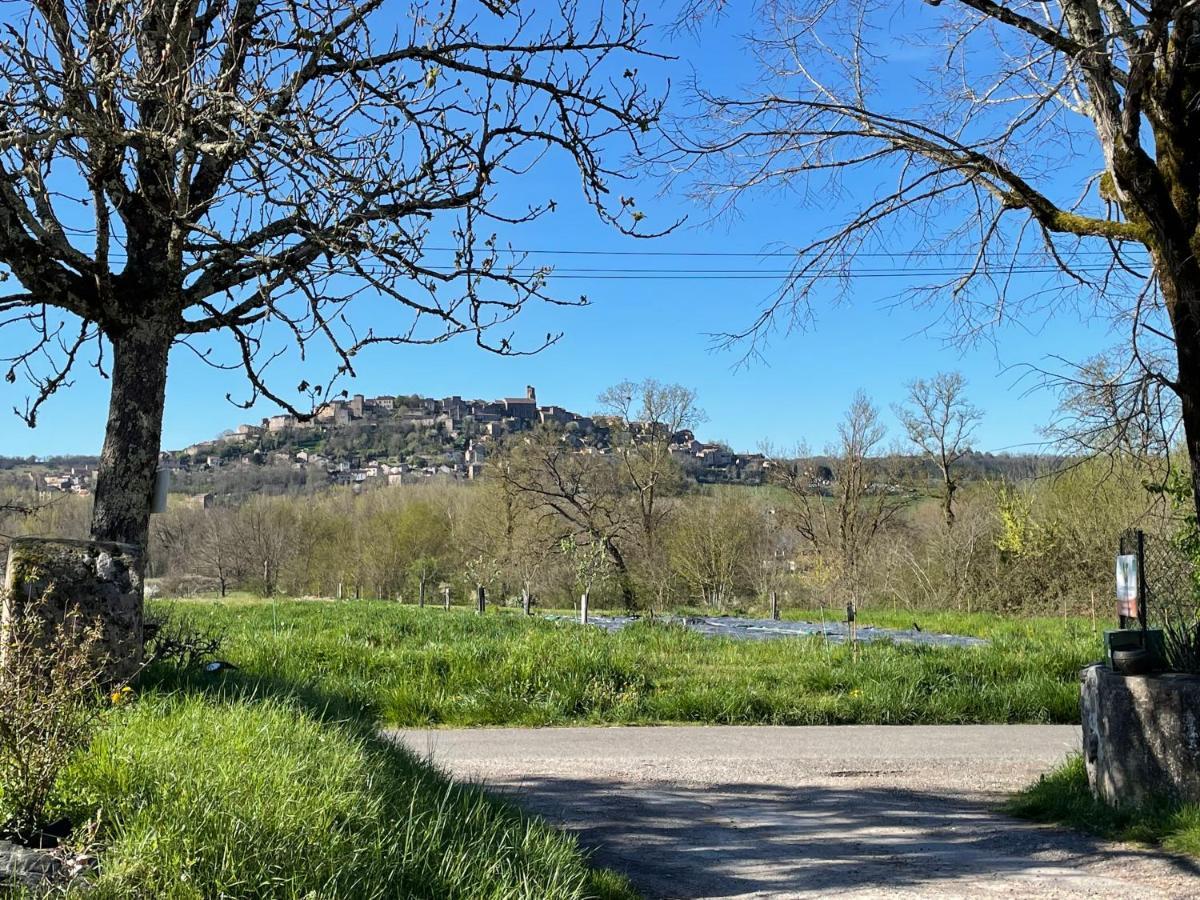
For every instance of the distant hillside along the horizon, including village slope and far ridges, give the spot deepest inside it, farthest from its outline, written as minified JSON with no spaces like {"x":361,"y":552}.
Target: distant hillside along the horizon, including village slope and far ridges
{"x":405,"y":439}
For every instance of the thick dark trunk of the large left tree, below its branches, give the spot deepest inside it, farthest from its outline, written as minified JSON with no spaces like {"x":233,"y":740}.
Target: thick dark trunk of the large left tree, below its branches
{"x":133,"y":437}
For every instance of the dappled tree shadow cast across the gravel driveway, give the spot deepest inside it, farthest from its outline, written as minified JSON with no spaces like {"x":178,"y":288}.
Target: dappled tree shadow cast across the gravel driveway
{"x":734,"y":839}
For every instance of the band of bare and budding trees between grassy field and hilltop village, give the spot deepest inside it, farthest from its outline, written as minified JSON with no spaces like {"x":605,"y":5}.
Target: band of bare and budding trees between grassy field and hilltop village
{"x":551,"y":523}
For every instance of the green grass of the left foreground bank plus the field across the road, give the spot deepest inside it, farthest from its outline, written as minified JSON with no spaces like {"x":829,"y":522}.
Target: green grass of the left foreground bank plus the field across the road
{"x":272,"y":782}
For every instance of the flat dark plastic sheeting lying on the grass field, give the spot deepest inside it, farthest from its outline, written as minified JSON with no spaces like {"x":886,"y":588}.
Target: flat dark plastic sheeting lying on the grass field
{"x":772,"y":631}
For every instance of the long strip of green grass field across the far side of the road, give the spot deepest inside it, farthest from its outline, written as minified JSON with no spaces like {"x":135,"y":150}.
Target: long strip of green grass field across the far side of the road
{"x":418,"y":668}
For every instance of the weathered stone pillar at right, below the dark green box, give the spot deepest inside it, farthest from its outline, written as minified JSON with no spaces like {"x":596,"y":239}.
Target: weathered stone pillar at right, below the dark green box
{"x":1142,"y":736}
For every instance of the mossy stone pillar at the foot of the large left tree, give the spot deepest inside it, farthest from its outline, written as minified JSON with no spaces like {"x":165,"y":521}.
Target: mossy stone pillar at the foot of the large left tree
{"x":93,"y":580}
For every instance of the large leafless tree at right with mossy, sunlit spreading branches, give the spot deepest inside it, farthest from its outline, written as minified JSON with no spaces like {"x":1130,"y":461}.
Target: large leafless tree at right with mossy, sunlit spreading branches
{"x":1048,"y":139}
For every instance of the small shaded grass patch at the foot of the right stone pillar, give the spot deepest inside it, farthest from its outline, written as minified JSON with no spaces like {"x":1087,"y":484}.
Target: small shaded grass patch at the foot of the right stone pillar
{"x":1064,"y":799}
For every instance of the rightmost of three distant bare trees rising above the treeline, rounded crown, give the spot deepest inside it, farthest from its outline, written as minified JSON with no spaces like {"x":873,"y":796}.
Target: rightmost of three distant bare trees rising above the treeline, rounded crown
{"x":941,"y":422}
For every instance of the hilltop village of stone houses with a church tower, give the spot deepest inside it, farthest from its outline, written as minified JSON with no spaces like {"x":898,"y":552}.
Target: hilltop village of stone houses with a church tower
{"x":398,"y":440}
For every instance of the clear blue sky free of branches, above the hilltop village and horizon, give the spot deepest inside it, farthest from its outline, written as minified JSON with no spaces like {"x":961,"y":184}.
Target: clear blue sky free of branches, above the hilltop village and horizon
{"x":658,"y":328}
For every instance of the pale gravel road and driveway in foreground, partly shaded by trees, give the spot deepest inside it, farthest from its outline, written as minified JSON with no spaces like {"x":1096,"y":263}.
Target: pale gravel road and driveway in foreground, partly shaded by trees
{"x":856,"y":812}
